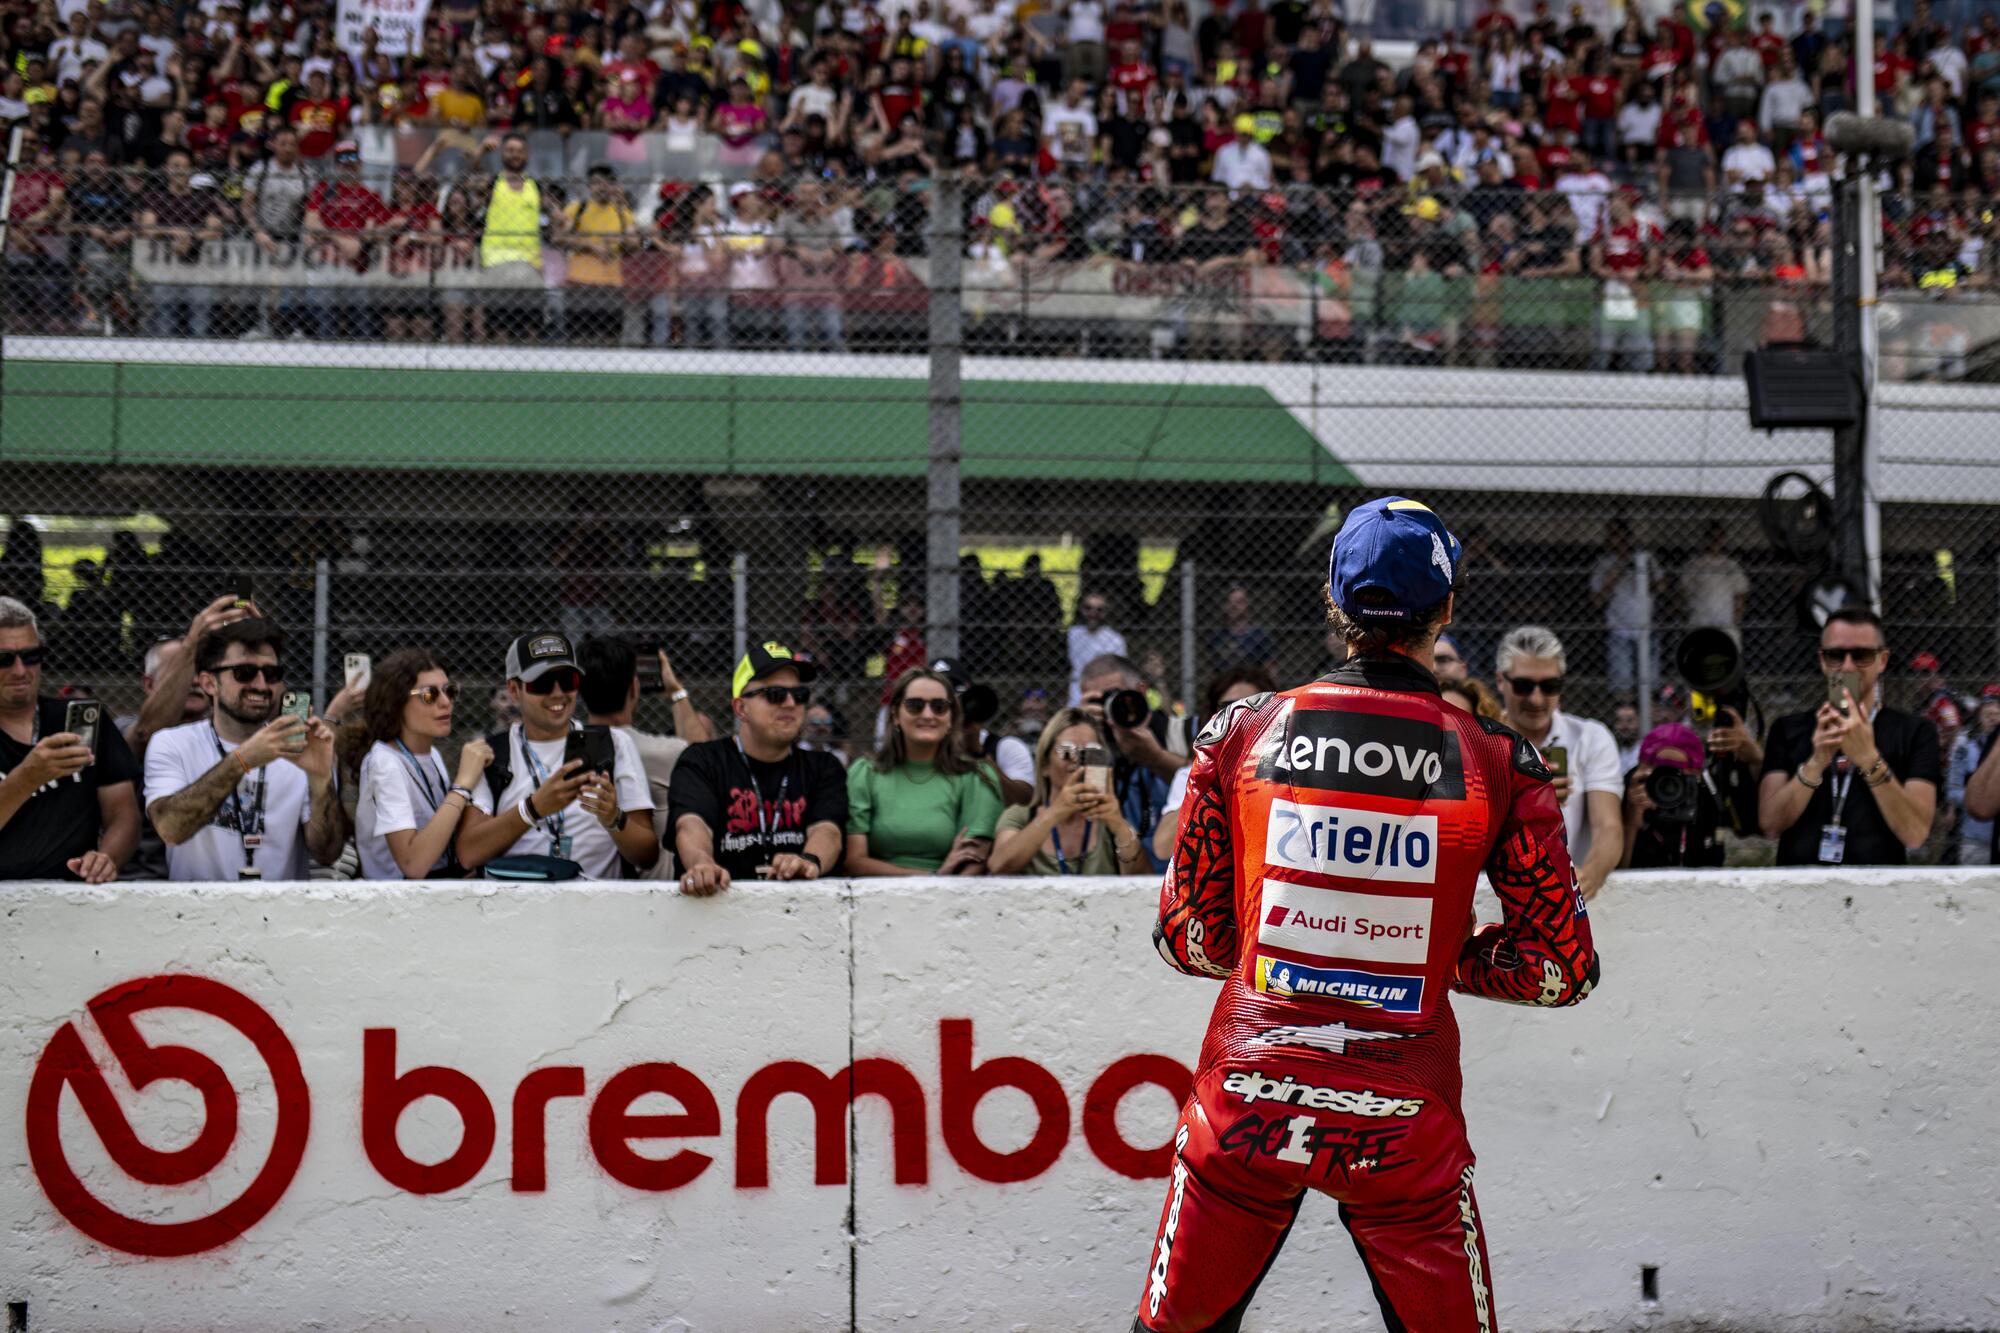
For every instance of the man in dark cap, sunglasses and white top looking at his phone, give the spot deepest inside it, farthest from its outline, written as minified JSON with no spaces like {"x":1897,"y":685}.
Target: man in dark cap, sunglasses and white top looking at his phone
{"x":555,"y":790}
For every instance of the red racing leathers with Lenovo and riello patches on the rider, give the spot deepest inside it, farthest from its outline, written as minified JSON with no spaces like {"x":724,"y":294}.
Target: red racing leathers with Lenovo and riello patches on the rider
{"x":1329,"y":846}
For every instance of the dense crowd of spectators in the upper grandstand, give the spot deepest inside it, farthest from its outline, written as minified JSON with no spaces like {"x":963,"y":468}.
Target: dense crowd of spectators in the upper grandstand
{"x":1653,"y":163}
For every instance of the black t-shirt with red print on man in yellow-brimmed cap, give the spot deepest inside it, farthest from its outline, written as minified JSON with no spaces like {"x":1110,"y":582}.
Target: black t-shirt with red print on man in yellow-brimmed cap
{"x":757,"y":810}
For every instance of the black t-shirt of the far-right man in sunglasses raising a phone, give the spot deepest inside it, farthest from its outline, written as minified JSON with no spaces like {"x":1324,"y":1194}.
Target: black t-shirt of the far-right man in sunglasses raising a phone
{"x":1911,"y":748}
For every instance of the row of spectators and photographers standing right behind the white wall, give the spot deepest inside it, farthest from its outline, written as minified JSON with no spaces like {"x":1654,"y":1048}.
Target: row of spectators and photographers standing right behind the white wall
{"x":227,"y":772}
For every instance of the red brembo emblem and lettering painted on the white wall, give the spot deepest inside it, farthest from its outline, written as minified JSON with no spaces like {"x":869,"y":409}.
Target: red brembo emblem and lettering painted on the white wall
{"x":613,"y":1124}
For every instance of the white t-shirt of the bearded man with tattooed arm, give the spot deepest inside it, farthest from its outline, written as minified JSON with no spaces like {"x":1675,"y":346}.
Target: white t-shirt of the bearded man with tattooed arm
{"x":179,"y":758}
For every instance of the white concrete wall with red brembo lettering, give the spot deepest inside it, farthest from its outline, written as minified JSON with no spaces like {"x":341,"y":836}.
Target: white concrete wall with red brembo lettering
{"x":1783,"y":1096}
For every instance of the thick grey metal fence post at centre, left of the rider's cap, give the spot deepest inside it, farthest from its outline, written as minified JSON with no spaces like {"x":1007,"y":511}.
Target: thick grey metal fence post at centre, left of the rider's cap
{"x":947,"y":349}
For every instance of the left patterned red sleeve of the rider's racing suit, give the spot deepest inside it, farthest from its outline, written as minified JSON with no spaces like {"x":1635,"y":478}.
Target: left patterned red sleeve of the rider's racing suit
{"x":1197,"y":930}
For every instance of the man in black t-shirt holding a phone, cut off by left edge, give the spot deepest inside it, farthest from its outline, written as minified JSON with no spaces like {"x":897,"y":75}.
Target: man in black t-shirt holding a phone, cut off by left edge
{"x":67,"y":802}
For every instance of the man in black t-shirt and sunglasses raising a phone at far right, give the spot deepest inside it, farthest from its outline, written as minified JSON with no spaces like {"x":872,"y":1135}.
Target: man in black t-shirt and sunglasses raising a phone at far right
{"x":1851,"y":782}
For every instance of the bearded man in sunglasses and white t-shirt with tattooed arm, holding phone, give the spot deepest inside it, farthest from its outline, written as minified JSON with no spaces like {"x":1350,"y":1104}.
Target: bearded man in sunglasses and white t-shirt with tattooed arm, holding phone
{"x":251,"y":792}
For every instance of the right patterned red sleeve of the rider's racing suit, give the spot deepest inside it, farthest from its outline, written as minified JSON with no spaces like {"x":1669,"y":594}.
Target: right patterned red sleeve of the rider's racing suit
{"x":1541,"y":954}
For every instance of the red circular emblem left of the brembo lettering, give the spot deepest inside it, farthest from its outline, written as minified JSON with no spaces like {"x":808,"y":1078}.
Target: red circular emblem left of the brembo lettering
{"x":67,"y":1060}
